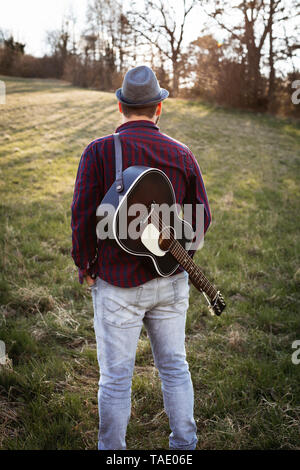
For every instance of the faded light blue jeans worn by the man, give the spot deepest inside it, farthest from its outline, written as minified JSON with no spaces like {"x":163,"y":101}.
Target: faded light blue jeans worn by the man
{"x":119,"y":313}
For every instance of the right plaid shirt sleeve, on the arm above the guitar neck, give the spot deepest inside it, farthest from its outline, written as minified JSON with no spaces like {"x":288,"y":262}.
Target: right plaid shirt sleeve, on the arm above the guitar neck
{"x":196,"y":194}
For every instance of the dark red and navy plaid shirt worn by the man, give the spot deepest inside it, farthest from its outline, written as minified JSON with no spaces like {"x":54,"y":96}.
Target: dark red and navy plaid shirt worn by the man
{"x":142,"y":144}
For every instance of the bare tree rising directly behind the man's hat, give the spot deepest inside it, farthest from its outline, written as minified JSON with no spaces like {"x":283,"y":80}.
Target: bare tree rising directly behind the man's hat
{"x":159,"y":24}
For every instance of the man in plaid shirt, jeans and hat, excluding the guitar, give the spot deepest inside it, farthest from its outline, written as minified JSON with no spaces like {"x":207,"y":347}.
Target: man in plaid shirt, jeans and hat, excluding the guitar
{"x":126,"y":293}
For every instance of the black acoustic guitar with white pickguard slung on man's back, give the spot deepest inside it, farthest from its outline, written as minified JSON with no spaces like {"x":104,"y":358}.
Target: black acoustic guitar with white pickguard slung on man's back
{"x":152,"y":238}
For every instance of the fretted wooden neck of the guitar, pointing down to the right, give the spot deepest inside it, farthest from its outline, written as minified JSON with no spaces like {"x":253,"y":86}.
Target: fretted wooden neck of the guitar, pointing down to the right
{"x":196,"y":276}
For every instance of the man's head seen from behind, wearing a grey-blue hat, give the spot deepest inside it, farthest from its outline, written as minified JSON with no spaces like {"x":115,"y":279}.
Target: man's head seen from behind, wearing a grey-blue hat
{"x":140,"y":96}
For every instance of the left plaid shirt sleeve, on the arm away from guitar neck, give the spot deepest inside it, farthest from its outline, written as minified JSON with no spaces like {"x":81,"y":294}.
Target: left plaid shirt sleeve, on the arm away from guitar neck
{"x":86,"y":198}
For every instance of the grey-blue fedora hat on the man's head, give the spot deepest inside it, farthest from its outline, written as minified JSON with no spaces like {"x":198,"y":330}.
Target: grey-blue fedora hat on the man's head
{"x":141,"y":88}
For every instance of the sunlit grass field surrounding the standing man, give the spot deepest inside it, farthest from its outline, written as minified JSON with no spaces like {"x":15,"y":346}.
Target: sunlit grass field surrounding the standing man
{"x":247,"y":389}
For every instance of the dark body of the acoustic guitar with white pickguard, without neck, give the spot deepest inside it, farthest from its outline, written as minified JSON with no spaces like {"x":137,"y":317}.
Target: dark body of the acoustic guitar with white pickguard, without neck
{"x":145,"y":186}
